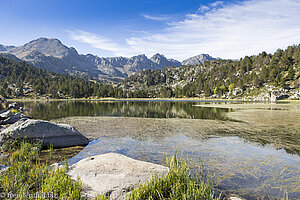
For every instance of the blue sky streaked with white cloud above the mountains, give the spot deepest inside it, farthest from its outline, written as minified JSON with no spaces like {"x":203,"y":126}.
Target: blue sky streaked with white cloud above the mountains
{"x":178,"y":29}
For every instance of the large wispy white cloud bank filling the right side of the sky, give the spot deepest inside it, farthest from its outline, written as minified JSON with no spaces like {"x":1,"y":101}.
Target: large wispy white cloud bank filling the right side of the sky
{"x":227,"y":31}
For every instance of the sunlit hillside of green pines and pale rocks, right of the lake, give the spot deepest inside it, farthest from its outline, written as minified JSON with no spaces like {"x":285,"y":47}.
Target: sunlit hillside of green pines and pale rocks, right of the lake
{"x":254,"y":76}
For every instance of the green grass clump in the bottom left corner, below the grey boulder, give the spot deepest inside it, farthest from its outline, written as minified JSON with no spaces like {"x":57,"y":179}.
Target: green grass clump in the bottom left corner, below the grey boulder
{"x":27,"y":175}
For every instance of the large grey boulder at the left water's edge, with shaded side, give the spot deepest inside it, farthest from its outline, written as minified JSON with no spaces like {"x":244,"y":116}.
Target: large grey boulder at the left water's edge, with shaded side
{"x":58,"y":135}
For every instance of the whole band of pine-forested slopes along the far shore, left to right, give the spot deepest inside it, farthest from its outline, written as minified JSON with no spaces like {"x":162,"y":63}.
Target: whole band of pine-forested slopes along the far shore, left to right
{"x":255,"y":77}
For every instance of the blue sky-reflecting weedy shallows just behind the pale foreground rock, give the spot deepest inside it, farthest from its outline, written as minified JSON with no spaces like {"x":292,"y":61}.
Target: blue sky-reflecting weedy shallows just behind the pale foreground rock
{"x":249,"y":170}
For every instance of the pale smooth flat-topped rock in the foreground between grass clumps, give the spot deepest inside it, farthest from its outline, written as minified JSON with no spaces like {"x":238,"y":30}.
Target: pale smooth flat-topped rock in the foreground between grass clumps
{"x":114,"y":174}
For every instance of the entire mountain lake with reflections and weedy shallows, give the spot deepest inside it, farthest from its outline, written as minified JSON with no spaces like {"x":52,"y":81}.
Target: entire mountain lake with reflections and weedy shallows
{"x":248,"y":149}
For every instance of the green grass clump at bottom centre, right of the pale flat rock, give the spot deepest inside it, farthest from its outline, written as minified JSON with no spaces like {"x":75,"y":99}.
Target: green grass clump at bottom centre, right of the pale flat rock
{"x":177,"y":184}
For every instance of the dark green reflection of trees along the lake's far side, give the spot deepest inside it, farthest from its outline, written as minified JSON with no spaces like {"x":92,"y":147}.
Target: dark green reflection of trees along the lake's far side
{"x":144,"y":109}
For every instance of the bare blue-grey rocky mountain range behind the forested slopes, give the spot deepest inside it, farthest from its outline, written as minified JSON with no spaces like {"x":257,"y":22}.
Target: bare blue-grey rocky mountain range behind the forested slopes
{"x":52,"y":55}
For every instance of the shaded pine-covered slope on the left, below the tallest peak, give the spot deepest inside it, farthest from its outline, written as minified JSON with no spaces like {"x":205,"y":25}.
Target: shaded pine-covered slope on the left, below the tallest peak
{"x":20,"y":79}
